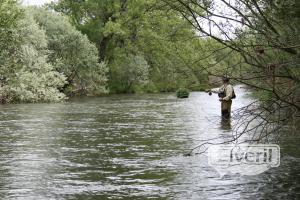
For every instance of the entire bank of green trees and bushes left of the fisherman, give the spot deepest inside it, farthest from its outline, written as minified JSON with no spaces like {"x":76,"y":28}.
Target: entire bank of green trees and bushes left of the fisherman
{"x":95,"y":47}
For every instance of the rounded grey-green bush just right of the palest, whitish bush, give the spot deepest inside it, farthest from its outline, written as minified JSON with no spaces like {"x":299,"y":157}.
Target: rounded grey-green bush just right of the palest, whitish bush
{"x":73,"y":54}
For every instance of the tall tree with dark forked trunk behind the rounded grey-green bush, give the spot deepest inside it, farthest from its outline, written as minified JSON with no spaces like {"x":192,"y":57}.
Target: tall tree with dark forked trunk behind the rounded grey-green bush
{"x":91,"y":17}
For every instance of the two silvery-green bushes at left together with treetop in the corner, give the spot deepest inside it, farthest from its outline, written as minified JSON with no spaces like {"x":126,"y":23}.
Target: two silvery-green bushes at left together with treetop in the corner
{"x":43,"y":57}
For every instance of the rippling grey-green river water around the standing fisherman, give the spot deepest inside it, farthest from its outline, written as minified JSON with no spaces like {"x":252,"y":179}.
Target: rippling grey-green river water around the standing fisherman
{"x":128,"y":147}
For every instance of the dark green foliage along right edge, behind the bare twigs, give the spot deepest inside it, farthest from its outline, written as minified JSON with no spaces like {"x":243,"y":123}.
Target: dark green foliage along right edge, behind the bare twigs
{"x":275,"y":53}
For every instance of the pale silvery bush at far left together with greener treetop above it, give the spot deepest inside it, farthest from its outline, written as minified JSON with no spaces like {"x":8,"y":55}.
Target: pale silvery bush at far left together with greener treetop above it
{"x":26,"y":74}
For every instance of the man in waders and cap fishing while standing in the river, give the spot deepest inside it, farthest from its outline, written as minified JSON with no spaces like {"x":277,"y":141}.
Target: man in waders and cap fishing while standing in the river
{"x":226,"y":94}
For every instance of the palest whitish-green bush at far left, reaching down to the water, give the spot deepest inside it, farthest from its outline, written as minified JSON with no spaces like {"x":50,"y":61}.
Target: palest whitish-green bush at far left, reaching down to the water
{"x":27,"y":76}
